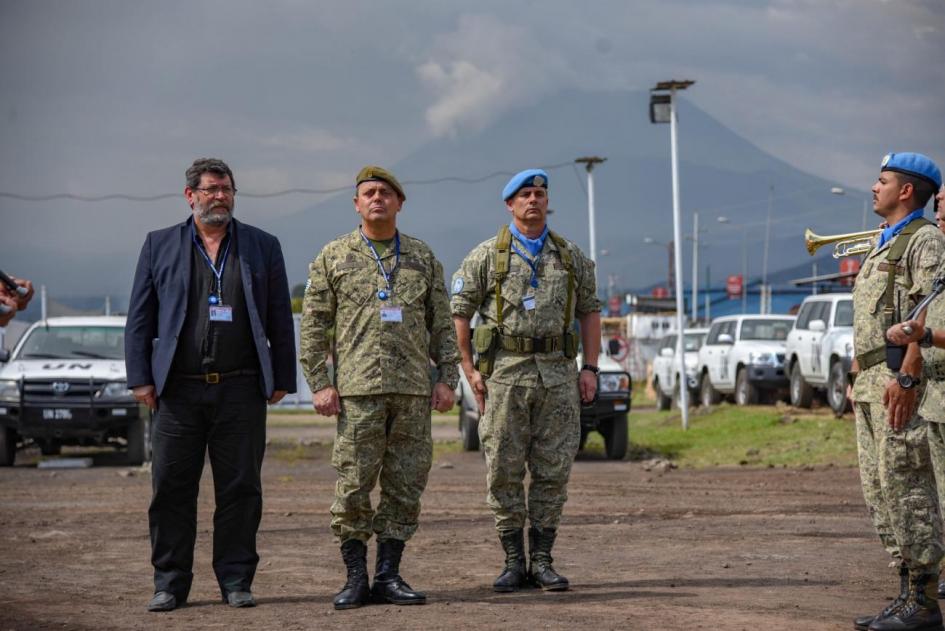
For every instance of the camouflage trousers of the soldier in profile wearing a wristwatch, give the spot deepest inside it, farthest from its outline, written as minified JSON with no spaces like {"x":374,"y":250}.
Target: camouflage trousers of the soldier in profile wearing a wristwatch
{"x":896,"y":472}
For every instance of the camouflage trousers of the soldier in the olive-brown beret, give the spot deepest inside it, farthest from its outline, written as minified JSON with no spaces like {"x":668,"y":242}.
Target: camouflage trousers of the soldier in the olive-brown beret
{"x":386,"y":436}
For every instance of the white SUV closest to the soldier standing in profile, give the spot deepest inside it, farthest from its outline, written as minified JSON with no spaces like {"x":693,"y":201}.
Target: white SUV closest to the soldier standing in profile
{"x":820,"y":350}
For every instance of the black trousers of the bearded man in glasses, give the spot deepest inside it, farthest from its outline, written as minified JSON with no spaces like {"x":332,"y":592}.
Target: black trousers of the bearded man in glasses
{"x":227,"y":419}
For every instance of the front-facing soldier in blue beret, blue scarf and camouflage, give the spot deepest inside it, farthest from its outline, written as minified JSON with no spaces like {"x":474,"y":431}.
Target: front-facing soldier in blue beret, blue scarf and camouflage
{"x":528,"y":285}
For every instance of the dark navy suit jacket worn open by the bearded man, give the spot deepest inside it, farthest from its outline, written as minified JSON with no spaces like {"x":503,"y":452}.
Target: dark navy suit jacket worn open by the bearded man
{"x":158,"y":306}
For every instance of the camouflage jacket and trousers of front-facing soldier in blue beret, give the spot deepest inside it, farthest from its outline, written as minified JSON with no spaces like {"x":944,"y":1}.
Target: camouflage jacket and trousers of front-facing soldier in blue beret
{"x":532,"y":415}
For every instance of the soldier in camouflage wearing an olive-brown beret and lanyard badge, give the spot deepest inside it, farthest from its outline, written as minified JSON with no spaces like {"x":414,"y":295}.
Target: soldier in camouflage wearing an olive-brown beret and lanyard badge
{"x":384,"y":295}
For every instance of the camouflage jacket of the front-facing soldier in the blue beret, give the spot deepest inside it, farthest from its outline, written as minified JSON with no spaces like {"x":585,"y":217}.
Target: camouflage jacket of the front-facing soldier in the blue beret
{"x":474,"y":290}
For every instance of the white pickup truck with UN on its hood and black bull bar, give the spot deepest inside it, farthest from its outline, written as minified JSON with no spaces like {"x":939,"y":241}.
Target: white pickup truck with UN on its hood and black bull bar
{"x":64,"y":384}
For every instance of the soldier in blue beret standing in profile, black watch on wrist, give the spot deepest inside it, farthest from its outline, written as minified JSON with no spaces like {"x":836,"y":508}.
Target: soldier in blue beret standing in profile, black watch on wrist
{"x":896,"y":470}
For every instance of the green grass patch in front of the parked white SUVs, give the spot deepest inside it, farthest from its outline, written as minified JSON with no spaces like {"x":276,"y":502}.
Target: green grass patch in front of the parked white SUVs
{"x":759,"y":436}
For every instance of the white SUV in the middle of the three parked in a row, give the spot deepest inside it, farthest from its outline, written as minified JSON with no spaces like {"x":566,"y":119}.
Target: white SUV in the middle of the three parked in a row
{"x":743,"y":355}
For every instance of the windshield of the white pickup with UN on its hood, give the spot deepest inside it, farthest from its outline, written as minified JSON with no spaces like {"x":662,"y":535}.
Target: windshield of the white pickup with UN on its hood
{"x":74,"y":342}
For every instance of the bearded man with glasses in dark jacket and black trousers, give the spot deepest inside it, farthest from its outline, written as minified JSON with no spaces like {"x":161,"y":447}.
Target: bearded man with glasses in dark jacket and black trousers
{"x":208,"y":341}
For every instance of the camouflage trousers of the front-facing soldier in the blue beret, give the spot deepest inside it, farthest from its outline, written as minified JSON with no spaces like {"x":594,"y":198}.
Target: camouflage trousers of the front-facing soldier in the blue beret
{"x":534,"y":427}
